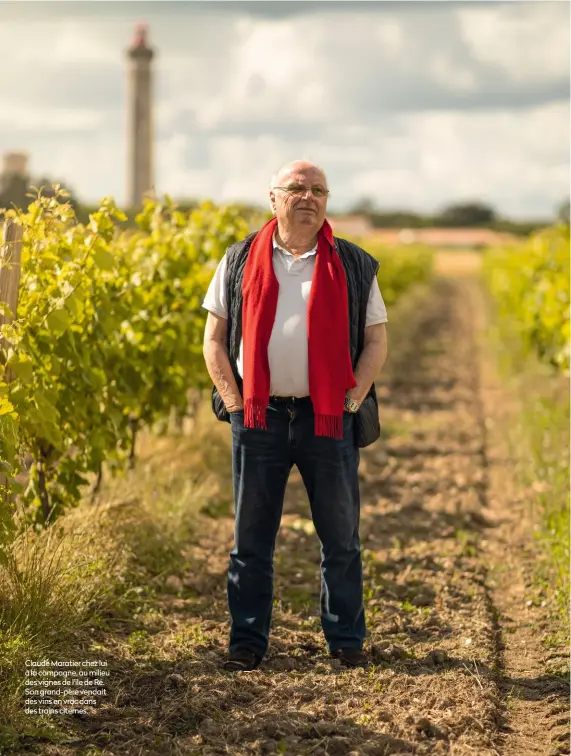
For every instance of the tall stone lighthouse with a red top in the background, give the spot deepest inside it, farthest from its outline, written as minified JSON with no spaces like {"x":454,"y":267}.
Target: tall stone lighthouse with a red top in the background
{"x":139,"y":118}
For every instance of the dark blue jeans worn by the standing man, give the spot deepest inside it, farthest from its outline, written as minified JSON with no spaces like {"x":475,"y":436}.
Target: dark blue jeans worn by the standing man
{"x":261,"y":463}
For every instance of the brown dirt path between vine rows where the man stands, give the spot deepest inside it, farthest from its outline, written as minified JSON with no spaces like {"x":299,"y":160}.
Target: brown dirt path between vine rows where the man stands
{"x":460,"y":667}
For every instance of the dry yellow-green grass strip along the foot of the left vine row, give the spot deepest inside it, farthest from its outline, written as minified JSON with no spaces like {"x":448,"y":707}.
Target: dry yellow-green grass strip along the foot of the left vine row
{"x":100,"y":563}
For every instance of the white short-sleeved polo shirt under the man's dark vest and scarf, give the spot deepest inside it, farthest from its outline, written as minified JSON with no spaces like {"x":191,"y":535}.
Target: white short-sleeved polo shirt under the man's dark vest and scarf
{"x":287,"y":349}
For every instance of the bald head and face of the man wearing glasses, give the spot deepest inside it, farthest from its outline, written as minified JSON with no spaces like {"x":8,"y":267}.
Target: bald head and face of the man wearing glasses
{"x":296,"y":206}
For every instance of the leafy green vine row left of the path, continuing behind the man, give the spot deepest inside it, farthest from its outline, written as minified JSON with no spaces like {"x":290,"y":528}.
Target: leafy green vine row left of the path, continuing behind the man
{"x":107,"y":337}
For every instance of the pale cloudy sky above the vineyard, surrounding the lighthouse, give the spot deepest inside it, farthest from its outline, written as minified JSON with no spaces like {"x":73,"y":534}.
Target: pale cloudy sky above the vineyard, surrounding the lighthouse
{"x":414,"y":105}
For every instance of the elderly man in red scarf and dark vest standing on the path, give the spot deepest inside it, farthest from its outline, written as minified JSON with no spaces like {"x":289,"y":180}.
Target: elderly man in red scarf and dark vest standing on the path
{"x":294,"y":340}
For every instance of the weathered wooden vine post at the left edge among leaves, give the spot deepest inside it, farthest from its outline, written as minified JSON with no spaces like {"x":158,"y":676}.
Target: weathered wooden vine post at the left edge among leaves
{"x":10,"y":268}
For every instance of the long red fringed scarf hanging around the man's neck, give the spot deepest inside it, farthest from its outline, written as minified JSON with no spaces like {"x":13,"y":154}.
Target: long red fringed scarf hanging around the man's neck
{"x":329,"y":358}
